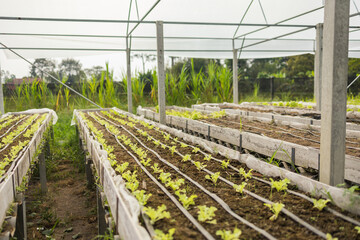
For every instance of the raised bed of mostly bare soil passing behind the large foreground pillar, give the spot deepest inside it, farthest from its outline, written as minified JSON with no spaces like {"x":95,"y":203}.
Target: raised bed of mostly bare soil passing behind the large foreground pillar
{"x":289,"y":146}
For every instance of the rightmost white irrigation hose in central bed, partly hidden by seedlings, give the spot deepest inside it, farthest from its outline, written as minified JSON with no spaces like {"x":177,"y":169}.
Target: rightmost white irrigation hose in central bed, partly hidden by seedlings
{"x":346,"y":218}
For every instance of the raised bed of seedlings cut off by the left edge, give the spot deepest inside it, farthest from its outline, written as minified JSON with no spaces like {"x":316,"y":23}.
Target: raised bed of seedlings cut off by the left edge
{"x":21,"y":137}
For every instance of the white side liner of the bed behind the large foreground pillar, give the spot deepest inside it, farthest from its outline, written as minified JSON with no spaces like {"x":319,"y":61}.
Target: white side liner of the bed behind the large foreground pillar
{"x":306,"y":157}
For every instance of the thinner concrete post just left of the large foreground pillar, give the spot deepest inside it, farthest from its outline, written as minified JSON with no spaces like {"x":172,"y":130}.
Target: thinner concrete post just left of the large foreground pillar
{"x":318,"y":65}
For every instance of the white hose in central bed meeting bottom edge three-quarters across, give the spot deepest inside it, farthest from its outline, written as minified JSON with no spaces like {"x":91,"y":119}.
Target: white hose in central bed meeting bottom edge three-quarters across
{"x":212,"y":195}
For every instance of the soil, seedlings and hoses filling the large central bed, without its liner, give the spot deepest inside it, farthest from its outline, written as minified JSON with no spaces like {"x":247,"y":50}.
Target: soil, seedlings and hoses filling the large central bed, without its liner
{"x":188,"y":192}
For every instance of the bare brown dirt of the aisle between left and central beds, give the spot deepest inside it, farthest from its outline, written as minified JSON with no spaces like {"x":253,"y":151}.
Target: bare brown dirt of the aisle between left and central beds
{"x":68,"y":207}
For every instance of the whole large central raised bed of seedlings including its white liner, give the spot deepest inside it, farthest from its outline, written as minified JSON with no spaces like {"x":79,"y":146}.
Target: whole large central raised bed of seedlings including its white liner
{"x":161,"y":167}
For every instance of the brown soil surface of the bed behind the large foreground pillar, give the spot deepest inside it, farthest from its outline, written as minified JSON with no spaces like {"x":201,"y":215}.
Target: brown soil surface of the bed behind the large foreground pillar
{"x":310,"y":137}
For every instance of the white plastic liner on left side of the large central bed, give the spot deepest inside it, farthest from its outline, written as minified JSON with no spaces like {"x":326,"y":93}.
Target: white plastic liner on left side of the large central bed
{"x":124,"y":207}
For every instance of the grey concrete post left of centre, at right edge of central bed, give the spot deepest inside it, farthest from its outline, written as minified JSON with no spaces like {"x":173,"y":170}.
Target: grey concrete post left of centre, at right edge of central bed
{"x":161,"y":70}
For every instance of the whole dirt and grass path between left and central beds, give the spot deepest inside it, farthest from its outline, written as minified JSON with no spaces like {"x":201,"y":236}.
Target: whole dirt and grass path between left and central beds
{"x":68,"y":210}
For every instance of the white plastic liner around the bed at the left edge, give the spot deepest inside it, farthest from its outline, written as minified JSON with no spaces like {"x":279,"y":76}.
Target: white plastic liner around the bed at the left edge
{"x":14,"y":176}
